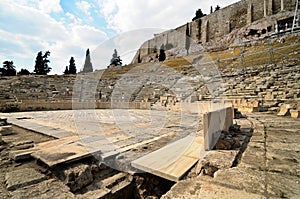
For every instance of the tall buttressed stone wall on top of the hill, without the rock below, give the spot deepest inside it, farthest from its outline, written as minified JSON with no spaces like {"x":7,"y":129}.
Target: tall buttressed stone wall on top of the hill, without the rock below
{"x":217,"y":24}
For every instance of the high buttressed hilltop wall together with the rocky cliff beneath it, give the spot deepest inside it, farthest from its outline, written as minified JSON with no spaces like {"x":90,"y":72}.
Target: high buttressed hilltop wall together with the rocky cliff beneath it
{"x":240,"y":21}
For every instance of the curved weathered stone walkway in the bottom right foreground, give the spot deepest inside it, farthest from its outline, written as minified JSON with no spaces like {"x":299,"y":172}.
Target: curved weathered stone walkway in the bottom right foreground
{"x":269,"y":167}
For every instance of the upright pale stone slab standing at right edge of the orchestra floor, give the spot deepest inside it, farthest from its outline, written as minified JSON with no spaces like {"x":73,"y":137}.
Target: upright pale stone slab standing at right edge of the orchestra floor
{"x":213,"y":123}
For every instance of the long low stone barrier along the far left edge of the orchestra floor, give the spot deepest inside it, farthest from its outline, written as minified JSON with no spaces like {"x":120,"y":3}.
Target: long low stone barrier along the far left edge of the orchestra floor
{"x":69,"y":105}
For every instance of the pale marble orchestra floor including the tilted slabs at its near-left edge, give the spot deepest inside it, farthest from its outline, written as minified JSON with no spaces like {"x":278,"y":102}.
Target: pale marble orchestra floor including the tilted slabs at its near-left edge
{"x":110,"y":132}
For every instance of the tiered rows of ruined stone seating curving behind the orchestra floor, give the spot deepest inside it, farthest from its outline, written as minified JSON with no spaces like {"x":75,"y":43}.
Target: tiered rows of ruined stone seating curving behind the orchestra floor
{"x":268,"y":84}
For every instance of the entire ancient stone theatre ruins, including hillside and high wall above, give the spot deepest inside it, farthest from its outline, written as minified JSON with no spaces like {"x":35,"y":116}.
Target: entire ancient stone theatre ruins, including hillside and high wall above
{"x":217,"y":123}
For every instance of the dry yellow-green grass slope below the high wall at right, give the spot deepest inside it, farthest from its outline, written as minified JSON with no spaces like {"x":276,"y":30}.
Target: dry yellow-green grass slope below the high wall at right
{"x":258,"y":54}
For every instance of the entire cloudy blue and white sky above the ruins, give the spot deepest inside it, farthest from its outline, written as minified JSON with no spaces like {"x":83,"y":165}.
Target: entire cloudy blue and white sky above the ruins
{"x":68,"y":27}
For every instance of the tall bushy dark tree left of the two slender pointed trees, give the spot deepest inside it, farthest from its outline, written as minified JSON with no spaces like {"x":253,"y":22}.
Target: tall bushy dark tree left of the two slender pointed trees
{"x":41,"y":63}
